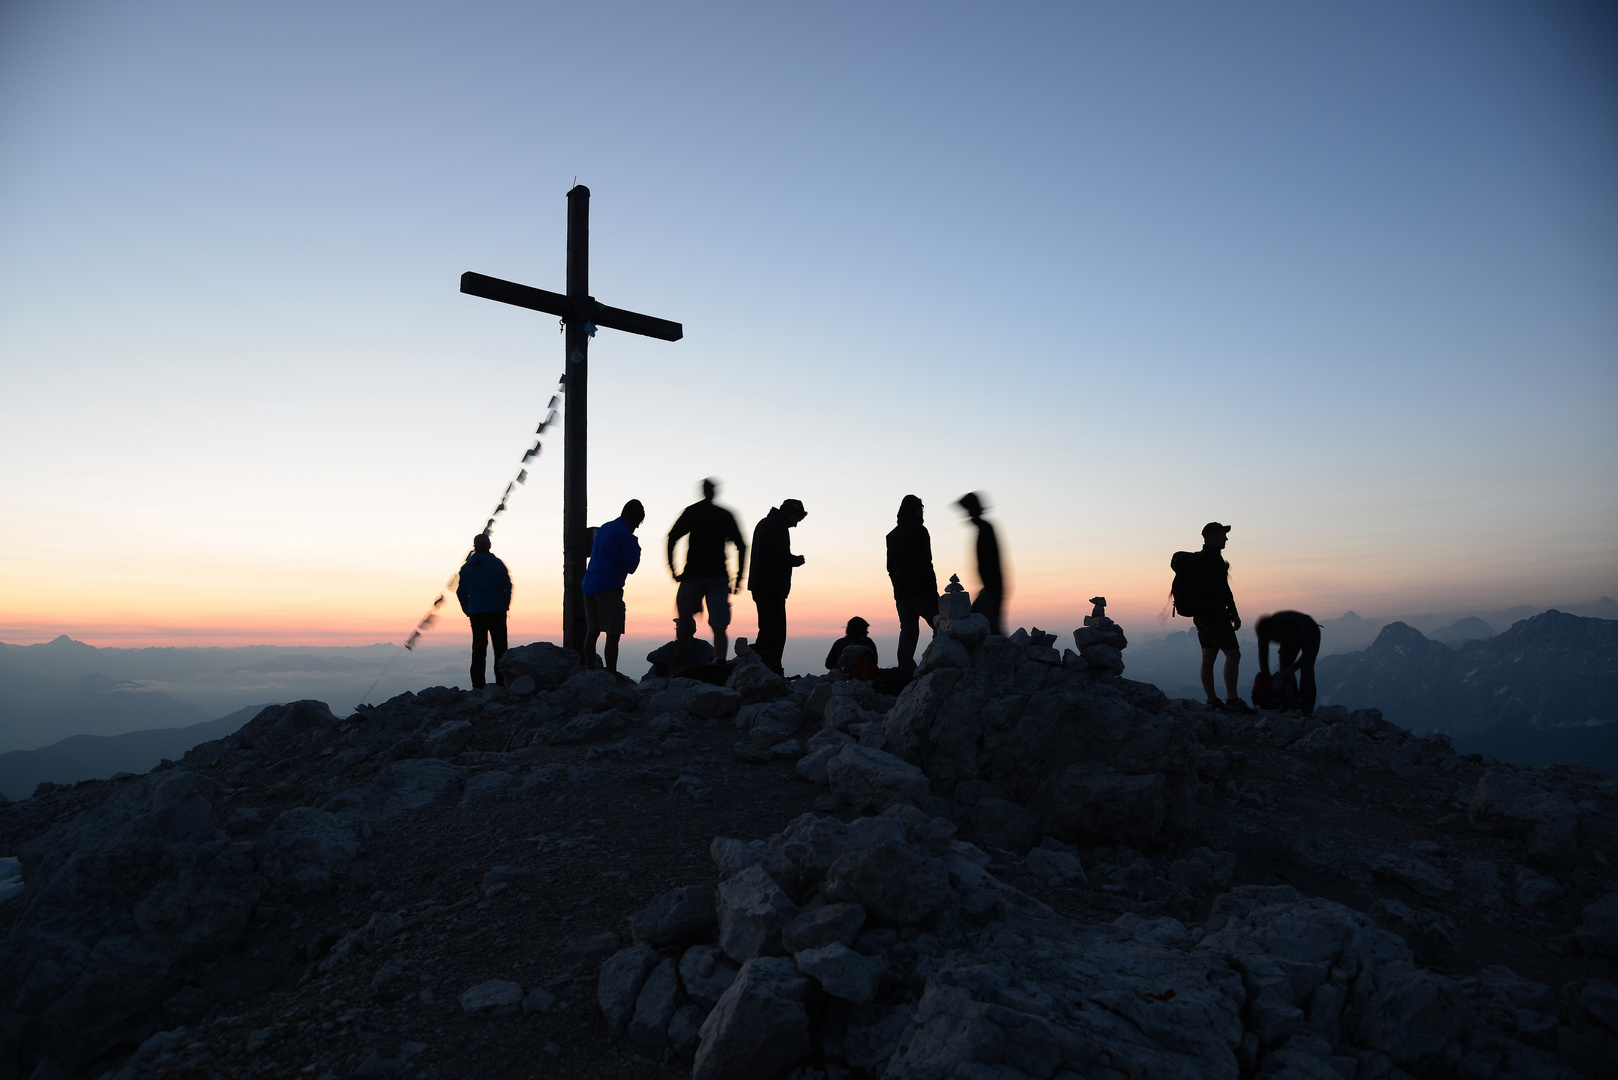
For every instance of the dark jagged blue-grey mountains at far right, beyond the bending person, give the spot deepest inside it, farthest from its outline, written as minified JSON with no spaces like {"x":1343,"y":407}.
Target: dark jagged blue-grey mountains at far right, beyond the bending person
{"x":1546,"y":689}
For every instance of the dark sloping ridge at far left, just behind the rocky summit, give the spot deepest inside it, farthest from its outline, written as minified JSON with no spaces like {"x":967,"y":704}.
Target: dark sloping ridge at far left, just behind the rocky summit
{"x":100,"y":757}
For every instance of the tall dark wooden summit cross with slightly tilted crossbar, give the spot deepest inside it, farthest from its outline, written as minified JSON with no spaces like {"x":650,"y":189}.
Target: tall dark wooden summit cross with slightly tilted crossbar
{"x":582,"y":315}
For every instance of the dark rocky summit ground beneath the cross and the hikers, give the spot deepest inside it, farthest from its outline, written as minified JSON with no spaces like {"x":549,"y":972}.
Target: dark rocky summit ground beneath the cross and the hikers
{"x":1023,"y":865}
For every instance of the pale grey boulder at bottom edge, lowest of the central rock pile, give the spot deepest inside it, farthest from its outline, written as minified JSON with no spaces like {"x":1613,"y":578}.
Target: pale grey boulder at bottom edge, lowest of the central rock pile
{"x":760,"y":1027}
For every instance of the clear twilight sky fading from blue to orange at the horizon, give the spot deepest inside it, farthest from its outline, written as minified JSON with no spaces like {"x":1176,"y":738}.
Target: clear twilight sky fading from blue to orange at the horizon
{"x":1342,"y":276}
